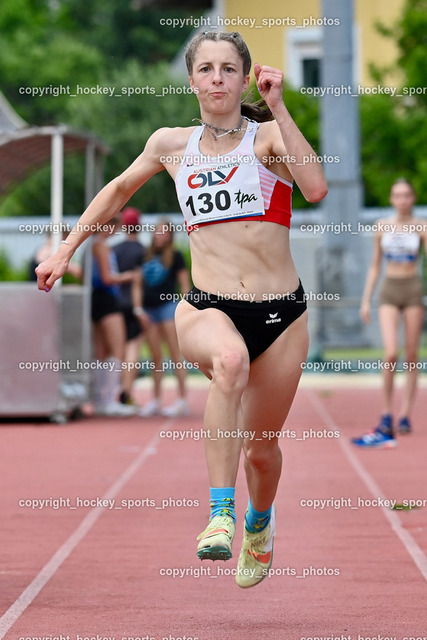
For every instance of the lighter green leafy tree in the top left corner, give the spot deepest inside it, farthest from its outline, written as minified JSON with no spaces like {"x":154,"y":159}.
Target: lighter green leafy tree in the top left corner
{"x":37,"y":51}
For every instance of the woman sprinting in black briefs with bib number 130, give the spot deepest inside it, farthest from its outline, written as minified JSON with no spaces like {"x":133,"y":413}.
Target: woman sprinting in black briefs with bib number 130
{"x":245,"y":322}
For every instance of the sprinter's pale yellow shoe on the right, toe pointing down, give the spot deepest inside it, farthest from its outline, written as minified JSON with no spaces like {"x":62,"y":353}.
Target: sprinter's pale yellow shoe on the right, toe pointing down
{"x":256,"y":554}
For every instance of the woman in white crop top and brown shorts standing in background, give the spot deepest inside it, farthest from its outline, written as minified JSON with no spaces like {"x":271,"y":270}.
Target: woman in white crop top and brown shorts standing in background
{"x":398,"y":240}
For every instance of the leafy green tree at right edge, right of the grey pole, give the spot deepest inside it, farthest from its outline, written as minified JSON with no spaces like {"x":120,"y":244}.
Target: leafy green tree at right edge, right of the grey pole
{"x":394,"y":129}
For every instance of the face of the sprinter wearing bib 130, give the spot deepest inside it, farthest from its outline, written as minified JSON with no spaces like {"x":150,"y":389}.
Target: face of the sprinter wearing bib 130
{"x":217,"y":77}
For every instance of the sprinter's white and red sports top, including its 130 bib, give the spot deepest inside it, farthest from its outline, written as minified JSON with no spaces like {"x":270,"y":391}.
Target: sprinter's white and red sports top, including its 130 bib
{"x":235,"y":186}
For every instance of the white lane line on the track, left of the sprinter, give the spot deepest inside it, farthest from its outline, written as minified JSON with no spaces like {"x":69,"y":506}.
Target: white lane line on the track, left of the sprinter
{"x":9,"y":618}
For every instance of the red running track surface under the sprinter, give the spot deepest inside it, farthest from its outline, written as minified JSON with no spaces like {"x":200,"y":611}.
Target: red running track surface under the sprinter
{"x":343,"y":567}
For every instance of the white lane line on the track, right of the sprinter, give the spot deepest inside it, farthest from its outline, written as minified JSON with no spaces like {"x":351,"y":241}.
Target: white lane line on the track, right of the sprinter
{"x":407,"y":540}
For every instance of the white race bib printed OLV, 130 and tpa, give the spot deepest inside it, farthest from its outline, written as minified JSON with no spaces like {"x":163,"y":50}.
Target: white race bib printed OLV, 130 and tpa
{"x":226,"y":188}
